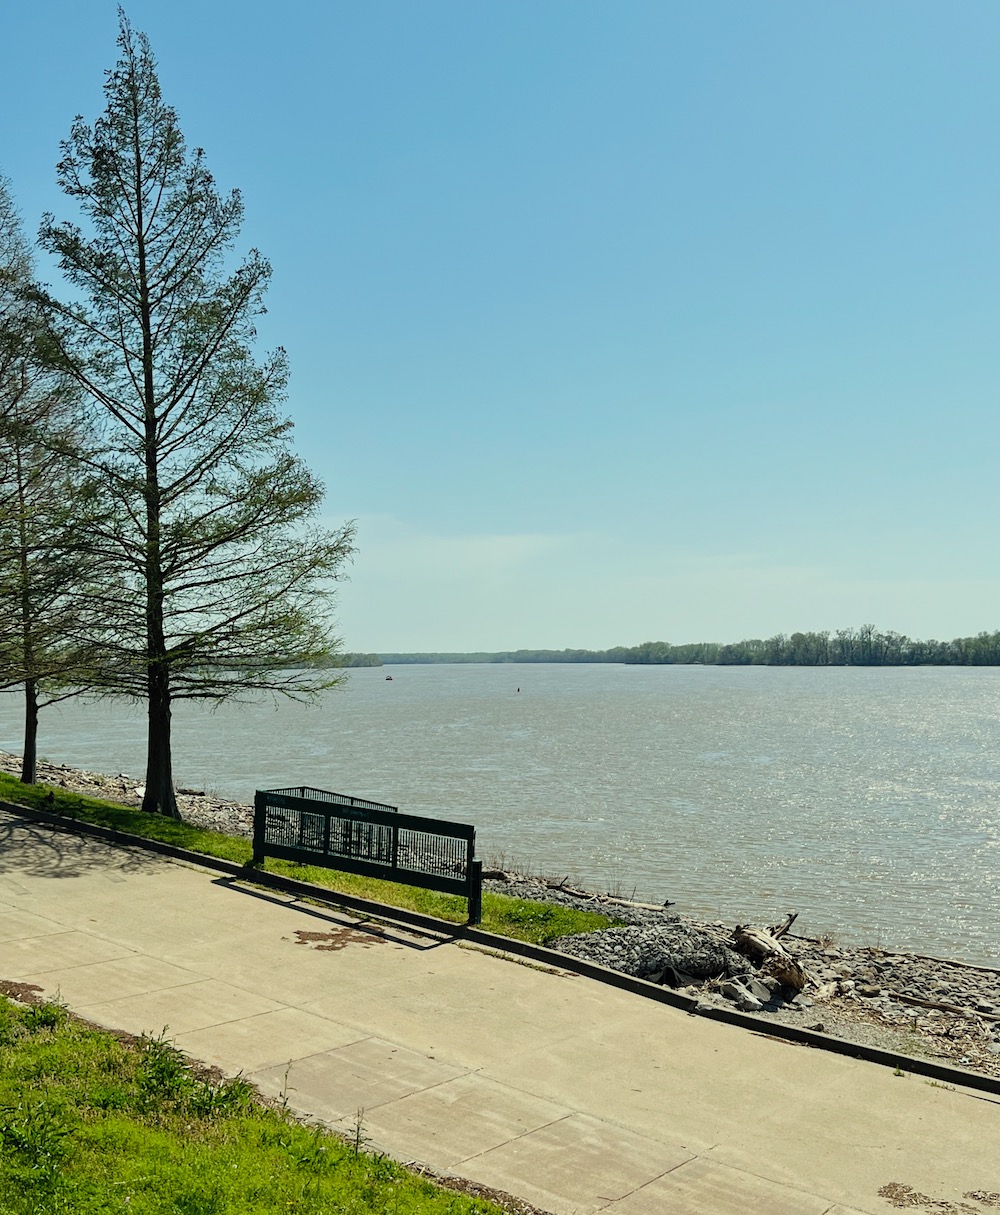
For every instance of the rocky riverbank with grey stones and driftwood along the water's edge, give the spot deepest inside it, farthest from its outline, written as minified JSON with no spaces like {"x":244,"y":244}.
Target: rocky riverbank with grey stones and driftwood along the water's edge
{"x":908,"y":1003}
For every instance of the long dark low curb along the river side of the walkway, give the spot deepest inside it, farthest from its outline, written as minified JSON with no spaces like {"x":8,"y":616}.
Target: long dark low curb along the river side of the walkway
{"x":930,"y":1069}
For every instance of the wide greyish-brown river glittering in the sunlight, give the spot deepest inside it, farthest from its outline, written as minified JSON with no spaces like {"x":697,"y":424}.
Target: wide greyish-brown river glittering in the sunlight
{"x":868,"y":800}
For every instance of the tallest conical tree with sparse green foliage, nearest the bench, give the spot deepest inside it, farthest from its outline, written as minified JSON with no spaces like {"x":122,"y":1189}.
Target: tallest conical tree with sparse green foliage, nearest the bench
{"x":223,"y":580}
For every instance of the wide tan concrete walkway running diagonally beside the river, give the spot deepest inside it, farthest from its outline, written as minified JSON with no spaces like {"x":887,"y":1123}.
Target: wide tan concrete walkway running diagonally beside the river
{"x":570,"y":1094}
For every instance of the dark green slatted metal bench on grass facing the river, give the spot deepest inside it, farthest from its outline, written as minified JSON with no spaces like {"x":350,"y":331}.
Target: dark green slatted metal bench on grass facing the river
{"x":314,"y":827}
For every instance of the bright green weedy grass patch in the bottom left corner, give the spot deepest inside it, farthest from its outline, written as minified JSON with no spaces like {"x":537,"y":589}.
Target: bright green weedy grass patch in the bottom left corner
{"x":91,"y":1124}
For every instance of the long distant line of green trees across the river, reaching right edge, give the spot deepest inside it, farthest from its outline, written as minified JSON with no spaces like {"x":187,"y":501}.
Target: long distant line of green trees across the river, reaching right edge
{"x":863,"y":647}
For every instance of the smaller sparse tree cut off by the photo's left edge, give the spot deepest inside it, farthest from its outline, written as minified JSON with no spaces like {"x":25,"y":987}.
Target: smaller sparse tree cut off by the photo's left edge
{"x":46,"y":646}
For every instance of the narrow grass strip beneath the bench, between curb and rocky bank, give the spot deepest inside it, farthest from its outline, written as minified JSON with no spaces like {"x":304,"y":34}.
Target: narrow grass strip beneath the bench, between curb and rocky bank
{"x":521,"y":919}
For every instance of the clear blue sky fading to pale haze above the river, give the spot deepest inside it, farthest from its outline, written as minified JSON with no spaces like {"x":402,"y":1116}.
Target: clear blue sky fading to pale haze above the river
{"x":608,"y":321}
